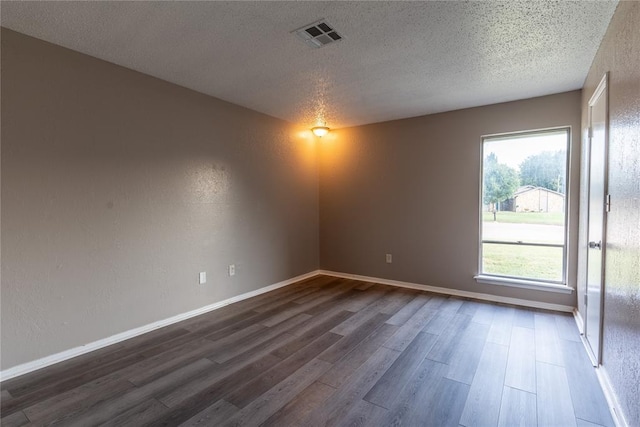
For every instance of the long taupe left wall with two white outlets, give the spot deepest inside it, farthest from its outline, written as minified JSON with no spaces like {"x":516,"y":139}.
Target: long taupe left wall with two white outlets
{"x":119,"y":188}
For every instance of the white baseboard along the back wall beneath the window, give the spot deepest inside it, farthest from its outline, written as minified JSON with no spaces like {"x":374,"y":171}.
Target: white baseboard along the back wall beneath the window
{"x":453,"y":292}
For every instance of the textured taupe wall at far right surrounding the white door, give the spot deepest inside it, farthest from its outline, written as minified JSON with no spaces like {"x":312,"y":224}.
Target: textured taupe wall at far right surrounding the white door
{"x":619,"y":54}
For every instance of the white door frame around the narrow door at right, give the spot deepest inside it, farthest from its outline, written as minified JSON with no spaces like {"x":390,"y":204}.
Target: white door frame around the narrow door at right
{"x":603,"y":86}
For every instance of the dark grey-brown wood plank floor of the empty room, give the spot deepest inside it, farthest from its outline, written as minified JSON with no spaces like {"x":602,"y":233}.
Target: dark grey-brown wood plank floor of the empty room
{"x":328,"y":351}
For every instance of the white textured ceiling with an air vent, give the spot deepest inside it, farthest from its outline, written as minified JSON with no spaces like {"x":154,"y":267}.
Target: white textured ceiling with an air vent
{"x":397,"y":59}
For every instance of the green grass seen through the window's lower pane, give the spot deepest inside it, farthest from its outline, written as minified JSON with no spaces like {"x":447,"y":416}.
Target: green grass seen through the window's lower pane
{"x":535,"y":262}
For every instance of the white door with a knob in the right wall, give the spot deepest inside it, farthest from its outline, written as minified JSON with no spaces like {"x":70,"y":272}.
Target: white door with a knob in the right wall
{"x":598,"y":204}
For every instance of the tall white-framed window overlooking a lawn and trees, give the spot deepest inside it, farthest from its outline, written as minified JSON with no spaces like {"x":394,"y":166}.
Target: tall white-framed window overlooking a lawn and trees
{"x":523,"y":231}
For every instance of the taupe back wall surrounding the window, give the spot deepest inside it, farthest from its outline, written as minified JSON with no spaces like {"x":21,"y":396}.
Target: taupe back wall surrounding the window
{"x":411,"y":188}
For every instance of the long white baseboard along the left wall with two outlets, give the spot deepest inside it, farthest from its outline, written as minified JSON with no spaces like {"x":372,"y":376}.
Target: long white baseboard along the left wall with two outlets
{"x":95,"y":345}
